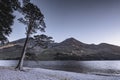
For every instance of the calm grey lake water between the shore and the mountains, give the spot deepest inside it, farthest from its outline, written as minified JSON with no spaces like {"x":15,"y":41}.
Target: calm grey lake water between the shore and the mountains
{"x":74,"y":66}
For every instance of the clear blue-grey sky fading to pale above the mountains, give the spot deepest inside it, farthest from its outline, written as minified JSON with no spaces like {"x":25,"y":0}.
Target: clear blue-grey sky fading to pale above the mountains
{"x":89,"y":21}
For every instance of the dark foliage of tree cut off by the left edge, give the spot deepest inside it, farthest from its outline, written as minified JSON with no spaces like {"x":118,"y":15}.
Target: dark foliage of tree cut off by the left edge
{"x":7,"y":18}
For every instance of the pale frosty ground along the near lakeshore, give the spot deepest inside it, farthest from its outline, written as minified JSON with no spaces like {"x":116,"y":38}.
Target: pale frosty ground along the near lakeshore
{"x":45,"y":74}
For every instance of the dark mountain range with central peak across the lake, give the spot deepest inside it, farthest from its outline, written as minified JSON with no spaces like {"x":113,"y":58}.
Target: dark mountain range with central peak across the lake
{"x":69,"y":49}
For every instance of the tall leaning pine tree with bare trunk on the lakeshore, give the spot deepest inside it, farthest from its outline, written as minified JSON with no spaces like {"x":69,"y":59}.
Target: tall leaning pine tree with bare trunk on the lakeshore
{"x":33,"y":18}
